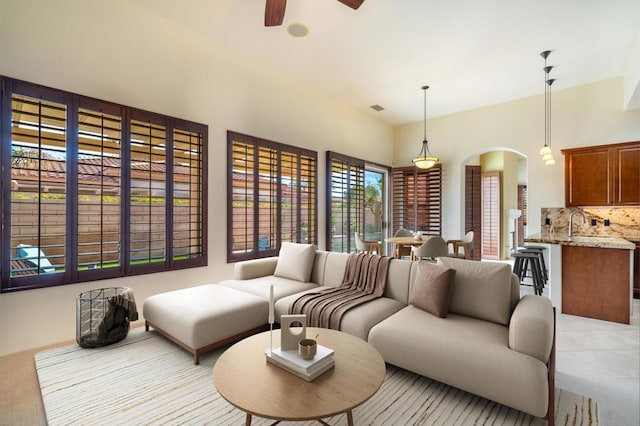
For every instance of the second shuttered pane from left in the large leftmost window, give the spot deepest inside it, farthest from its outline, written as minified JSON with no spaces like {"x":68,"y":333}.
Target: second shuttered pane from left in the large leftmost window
{"x":99,"y":190}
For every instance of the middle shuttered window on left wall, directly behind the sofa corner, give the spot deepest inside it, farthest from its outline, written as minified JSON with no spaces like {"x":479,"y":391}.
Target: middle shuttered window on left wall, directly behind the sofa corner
{"x":273,"y":193}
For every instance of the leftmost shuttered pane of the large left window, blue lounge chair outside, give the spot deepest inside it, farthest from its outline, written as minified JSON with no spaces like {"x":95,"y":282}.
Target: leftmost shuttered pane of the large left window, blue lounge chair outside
{"x":38,"y":183}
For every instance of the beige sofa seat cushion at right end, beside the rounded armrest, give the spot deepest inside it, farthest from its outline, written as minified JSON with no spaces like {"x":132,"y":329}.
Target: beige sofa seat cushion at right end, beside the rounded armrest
{"x":466,"y":353}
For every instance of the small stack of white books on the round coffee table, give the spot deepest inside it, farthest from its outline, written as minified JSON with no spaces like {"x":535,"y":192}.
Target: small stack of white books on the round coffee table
{"x":307,"y":369}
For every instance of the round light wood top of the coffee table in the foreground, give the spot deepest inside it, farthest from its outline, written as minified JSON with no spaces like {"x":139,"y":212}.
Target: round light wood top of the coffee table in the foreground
{"x":246,"y":380}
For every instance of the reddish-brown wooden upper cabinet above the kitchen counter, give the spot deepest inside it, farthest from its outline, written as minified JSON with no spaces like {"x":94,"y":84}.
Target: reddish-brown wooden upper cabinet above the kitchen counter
{"x":604,"y":175}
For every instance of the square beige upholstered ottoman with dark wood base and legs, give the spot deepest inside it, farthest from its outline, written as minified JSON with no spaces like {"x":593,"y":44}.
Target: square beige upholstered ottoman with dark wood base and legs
{"x":203,"y":318}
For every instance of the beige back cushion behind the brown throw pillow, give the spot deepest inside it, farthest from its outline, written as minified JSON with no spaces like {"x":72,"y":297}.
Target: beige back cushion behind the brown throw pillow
{"x":480,"y":289}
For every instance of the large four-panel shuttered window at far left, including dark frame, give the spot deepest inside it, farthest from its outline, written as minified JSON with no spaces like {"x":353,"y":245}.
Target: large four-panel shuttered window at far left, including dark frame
{"x":97,"y":190}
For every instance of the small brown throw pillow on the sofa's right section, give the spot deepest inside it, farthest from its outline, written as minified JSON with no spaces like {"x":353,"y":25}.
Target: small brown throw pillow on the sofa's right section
{"x":432,"y":288}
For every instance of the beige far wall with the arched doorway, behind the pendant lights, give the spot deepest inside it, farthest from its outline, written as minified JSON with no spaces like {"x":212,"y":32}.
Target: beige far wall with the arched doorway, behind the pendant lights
{"x":582,"y":116}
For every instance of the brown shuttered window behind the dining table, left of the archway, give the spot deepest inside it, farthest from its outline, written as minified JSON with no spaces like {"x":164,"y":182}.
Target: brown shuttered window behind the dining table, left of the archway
{"x":417,"y":199}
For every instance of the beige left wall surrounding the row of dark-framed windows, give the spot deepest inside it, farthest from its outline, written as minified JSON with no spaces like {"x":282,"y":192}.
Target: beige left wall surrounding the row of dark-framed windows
{"x":117,"y":51}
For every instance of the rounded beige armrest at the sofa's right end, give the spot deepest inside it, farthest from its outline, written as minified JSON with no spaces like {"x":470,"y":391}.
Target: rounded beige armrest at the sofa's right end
{"x":531,"y":329}
